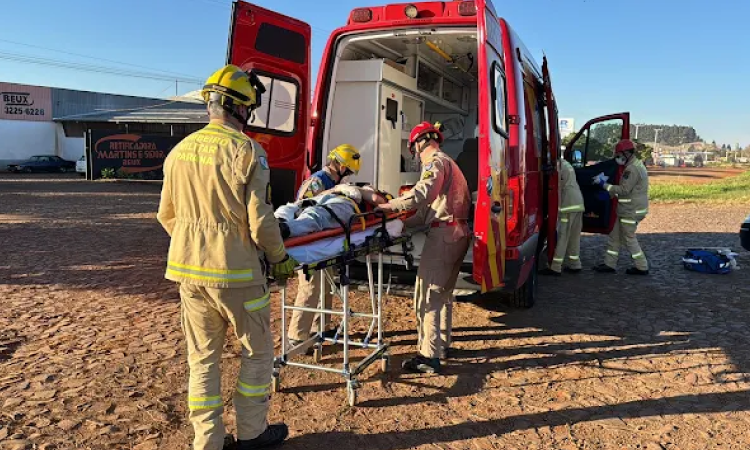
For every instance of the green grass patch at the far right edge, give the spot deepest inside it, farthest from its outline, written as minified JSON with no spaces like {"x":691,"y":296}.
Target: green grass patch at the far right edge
{"x":726,"y":190}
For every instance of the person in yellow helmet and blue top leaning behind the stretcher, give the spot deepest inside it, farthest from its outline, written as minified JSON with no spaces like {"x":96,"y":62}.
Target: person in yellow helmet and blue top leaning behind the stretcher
{"x":342,"y":161}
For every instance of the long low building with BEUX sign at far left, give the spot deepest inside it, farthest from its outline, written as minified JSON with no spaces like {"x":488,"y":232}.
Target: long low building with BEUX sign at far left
{"x":38,"y":120}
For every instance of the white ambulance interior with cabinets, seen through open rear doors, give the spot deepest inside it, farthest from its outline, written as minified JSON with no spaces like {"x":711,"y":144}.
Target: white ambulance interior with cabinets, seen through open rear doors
{"x":385,"y":83}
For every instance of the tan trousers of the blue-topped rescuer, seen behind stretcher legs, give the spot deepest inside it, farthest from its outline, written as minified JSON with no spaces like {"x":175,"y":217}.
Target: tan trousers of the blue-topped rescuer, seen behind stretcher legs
{"x":308,"y":295}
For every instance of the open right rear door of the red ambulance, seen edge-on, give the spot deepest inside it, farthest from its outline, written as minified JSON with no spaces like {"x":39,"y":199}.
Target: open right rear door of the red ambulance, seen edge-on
{"x":489,"y":213}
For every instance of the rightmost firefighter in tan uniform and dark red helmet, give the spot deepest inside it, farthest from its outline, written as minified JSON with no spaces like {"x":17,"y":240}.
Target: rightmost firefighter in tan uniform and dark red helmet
{"x":632,"y":207}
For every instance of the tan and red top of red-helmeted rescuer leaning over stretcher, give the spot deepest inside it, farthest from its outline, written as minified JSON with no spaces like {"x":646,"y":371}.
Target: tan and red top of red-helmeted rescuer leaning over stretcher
{"x":441,"y":195}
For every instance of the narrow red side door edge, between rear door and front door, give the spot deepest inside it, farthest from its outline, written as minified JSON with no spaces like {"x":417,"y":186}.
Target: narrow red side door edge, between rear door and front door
{"x":551,"y":163}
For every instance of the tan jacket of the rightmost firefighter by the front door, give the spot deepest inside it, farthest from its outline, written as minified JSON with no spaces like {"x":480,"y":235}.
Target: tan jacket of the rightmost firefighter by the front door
{"x":632,"y":192}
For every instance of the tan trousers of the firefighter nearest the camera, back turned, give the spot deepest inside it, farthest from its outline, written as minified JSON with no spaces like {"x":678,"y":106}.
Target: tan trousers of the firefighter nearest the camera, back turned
{"x":206,"y":314}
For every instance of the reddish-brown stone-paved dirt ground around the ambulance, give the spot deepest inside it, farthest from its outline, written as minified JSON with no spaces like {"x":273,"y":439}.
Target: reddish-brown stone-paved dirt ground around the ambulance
{"x":92,"y":356}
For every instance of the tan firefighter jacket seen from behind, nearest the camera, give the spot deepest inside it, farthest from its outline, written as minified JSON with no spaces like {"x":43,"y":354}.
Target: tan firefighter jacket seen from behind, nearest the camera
{"x":216,"y":206}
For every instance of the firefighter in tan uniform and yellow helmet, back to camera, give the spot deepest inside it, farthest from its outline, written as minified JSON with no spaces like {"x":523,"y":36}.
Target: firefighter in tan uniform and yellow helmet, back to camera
{"x":215,"y":206}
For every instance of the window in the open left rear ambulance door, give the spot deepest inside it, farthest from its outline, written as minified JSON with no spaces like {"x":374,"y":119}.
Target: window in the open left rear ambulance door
{"x":278,"y":109}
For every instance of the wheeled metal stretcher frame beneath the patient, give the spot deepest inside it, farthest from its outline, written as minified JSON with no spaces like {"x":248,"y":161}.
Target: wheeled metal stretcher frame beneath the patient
{"x":376,"y":244}
